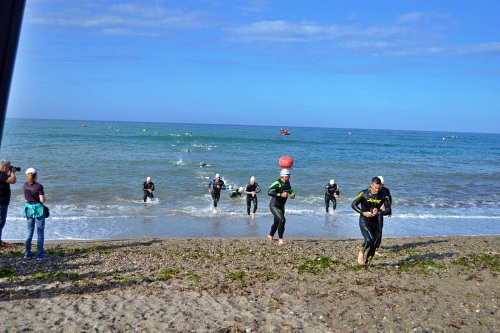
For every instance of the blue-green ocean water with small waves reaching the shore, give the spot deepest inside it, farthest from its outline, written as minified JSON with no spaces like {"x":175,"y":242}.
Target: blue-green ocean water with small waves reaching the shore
{"x":93,"y":178}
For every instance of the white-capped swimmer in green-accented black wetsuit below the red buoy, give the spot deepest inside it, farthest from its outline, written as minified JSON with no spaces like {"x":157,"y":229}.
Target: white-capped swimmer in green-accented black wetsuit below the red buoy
{"x":280,"y":191}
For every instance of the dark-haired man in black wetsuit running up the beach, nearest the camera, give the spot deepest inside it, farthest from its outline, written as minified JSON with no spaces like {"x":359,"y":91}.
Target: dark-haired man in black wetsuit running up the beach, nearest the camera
{"x":371,"y":201}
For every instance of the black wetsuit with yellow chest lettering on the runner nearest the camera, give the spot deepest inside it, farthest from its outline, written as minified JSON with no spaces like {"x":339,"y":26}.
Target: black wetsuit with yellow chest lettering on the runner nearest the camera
{"x":370,"y":227}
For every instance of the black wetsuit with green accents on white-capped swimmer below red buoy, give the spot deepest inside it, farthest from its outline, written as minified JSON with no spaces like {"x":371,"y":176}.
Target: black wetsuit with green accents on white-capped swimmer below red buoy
{"x":277,"y":205}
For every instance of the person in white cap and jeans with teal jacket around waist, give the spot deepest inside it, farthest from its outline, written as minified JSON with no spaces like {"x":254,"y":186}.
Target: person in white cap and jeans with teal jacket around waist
{"x":34,"y":213}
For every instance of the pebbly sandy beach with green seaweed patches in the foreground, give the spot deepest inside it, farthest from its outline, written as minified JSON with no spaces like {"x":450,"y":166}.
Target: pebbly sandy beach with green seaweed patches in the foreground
{"x":432,"y":284}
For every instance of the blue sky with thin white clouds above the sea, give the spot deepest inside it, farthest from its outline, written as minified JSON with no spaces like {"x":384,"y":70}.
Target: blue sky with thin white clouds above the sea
{"x":410,"y":65}
